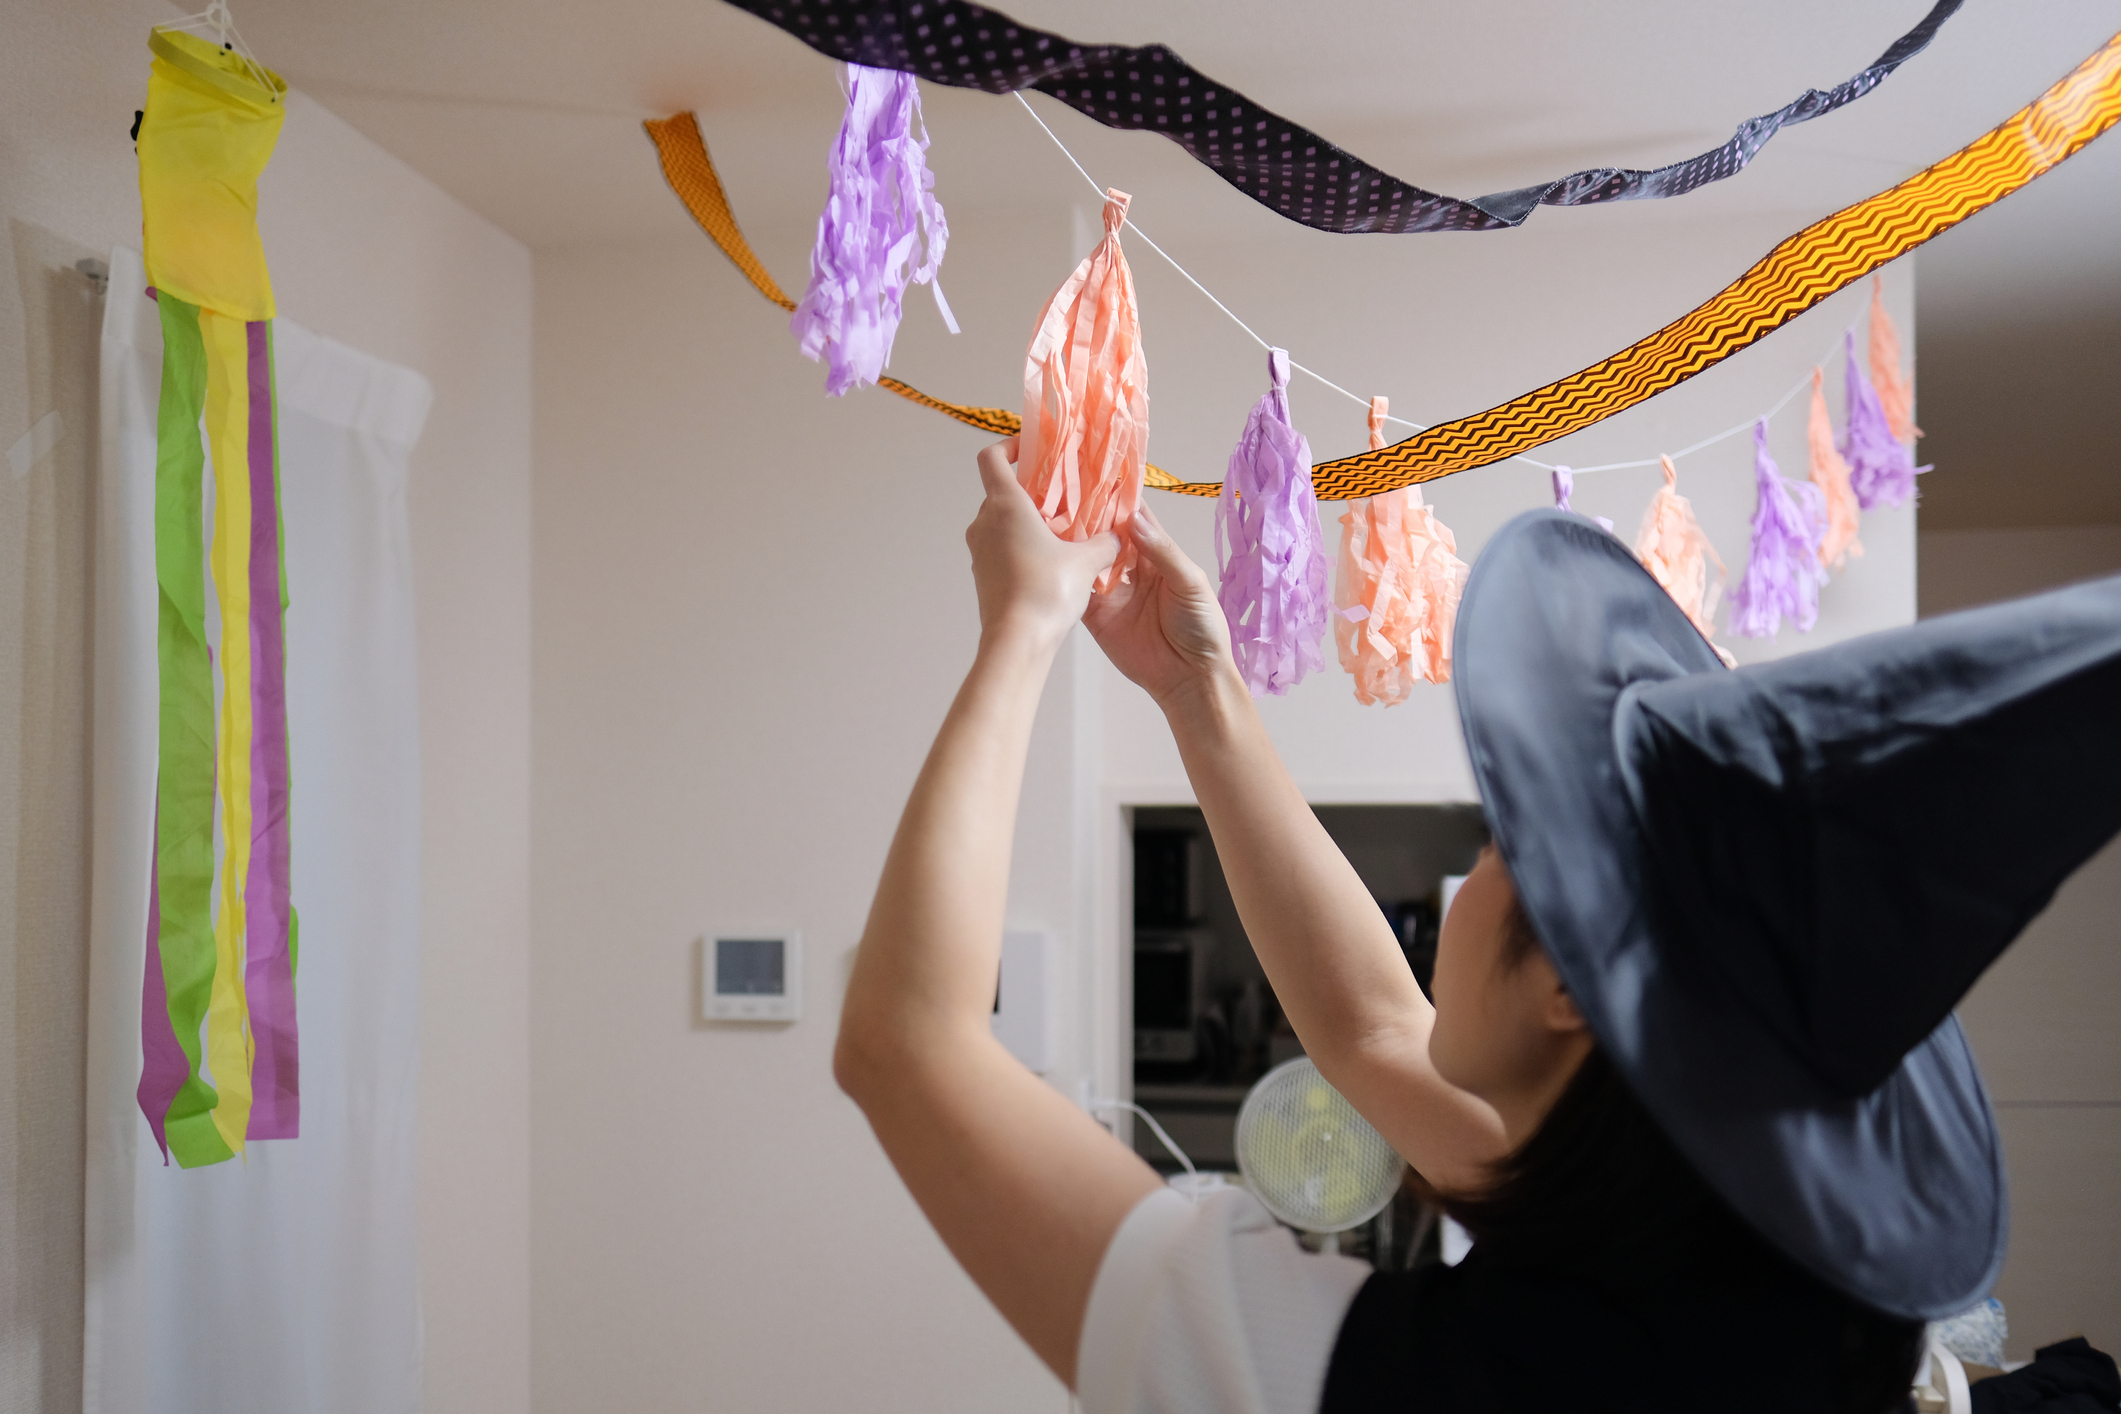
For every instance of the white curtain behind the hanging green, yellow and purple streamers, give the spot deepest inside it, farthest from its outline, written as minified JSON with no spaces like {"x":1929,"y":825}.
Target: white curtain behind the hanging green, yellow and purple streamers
{"x":283,"y":1282}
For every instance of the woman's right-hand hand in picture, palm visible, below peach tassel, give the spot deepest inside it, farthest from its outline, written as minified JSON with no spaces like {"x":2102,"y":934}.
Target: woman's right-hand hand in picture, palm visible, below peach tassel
{"x":1163,"y":631}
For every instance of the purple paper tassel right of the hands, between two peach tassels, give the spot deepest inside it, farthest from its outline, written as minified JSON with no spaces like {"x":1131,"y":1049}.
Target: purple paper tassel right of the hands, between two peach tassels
{"x":1269,"y":548}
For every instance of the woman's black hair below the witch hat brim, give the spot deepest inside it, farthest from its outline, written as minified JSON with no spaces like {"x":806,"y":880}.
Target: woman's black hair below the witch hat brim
{"x":1600,"y":1186}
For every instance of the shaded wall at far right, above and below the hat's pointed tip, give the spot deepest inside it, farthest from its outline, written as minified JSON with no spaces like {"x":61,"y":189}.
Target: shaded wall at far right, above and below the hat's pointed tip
{"x":2041,"y":1019}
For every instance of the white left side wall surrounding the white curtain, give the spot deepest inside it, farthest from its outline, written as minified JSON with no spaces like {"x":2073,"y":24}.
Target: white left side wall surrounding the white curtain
{"x":374,"y":255}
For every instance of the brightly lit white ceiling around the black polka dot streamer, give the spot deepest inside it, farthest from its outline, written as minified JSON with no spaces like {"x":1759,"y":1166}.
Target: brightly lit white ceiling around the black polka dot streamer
{"x":531,"y":111}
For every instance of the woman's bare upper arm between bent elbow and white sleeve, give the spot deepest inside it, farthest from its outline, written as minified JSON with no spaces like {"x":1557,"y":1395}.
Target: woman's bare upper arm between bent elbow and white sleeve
{"x":1023,"y":1186}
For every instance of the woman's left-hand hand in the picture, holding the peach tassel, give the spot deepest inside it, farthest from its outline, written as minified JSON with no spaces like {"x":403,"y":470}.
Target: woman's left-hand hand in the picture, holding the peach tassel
{"x":1030,"y":580}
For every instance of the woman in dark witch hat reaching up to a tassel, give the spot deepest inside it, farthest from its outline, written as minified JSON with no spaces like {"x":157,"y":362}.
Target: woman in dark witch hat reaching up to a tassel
{"x":1691,"y":1074}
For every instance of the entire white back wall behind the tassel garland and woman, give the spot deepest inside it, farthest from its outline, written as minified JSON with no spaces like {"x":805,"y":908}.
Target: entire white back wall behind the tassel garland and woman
{"x":752,"y":612}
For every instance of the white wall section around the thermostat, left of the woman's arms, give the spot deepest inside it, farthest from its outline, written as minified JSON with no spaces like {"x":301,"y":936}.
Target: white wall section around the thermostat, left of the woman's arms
{"x":750,"y":618}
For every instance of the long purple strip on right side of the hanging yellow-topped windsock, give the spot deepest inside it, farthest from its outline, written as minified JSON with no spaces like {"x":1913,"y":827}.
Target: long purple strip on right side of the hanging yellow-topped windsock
{"x":268,"y":906}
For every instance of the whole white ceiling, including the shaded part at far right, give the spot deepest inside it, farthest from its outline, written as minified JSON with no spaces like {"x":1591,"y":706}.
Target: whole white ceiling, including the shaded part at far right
{"x":531,"y":113}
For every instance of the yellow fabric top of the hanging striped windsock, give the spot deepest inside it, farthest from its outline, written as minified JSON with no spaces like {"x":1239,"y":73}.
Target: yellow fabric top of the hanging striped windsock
{"x":211,"y":116}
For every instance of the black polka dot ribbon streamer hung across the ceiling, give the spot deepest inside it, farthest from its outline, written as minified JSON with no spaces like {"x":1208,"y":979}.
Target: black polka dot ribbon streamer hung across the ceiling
{"x":1265,"y":156}
